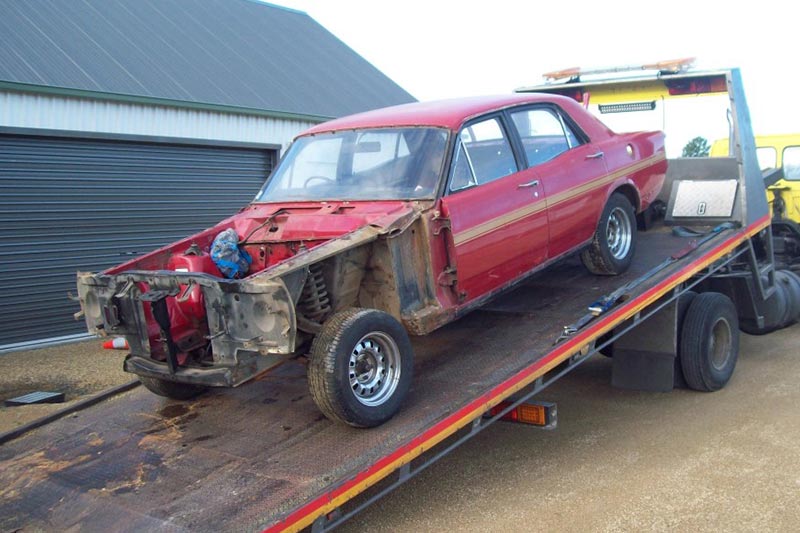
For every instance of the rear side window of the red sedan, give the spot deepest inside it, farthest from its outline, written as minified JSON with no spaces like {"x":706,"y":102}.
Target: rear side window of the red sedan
{"x":544,"y":134}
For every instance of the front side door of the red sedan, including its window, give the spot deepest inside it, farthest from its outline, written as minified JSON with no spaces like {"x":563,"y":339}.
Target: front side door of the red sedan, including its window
{"x":497,"y":213}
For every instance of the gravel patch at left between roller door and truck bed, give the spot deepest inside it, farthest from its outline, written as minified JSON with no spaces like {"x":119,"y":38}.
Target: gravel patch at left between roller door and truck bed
{"x":78,"y":370}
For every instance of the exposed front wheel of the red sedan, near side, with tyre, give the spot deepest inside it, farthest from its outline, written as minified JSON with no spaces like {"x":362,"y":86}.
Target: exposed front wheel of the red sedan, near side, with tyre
{"x":360,"y":367}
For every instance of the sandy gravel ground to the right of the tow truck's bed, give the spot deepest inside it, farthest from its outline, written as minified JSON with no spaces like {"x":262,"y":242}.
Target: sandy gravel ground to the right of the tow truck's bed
{"x":626,"y":461}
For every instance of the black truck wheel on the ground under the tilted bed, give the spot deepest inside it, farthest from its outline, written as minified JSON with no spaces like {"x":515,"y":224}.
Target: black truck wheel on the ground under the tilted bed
{"x":709,"y":343}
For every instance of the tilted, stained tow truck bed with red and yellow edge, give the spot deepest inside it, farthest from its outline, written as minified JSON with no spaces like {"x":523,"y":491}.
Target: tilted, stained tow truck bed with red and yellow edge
{"x":261,"y":456}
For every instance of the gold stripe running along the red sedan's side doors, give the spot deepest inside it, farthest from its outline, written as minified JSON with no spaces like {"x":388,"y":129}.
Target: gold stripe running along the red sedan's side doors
{"x":495,"y":223}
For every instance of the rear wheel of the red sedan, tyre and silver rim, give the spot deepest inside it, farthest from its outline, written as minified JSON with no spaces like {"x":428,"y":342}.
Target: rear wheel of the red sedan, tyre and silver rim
{"x":614,"y":244}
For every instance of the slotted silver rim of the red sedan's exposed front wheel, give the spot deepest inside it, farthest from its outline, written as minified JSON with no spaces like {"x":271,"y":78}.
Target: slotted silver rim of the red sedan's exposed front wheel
{"x":374,"y":368}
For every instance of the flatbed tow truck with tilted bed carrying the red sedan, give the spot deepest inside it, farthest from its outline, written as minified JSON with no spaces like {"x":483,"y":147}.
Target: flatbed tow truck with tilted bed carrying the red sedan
{"x":261,"y":457}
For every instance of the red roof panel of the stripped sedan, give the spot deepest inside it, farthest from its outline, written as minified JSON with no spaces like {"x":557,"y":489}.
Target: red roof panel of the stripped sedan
{"x":440,"y":113}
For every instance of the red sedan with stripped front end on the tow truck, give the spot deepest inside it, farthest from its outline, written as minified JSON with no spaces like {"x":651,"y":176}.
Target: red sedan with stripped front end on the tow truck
{"x":374,"y":226}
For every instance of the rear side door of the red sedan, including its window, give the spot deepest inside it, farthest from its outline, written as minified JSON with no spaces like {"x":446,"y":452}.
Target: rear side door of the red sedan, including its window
{"x":568,"y":166}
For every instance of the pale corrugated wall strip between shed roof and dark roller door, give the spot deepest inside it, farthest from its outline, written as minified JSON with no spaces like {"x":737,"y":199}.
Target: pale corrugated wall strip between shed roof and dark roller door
{"x":52,"y":112}
